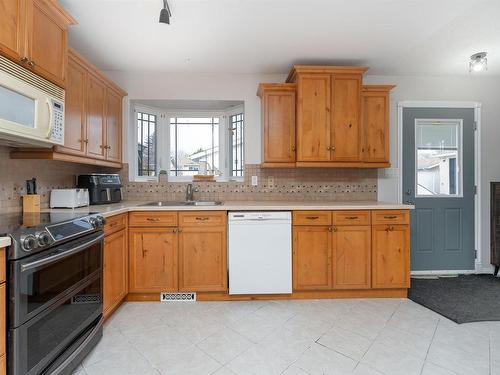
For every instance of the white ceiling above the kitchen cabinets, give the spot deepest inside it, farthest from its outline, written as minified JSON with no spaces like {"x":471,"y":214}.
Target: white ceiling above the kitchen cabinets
{"x":392,"y":37}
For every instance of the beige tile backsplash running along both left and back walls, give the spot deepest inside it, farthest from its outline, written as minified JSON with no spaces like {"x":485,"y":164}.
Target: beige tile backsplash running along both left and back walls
{"x":315,"y":184}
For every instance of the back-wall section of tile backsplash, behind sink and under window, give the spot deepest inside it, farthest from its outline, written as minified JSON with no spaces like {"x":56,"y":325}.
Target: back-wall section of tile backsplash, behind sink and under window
{"x":316,"y":184}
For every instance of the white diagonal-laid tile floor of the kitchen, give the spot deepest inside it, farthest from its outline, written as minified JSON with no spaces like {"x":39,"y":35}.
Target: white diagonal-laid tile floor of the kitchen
{"x":324,"y":337}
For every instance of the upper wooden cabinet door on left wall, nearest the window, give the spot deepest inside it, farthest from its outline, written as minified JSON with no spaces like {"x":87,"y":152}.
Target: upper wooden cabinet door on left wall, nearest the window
{"x":113,"y":126}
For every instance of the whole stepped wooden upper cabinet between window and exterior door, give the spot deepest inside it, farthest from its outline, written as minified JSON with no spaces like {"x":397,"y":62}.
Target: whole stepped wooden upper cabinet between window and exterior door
{"x":339,"y":122}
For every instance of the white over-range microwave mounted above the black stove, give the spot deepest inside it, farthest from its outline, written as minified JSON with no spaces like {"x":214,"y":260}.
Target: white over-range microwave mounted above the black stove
{"x":31,"y":108}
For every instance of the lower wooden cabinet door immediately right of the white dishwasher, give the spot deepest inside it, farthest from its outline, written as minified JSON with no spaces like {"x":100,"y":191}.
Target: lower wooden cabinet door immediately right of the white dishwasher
{"x":312,"y":253}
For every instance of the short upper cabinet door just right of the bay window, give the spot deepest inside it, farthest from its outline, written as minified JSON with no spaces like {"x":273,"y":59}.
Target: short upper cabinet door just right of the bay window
{"x":278,"y":117}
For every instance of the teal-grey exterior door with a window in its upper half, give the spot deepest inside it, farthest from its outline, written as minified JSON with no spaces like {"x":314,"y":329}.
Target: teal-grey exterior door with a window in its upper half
{"x":438,"y":178}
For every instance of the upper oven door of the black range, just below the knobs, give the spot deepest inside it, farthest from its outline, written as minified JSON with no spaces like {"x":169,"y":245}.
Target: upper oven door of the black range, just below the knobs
{"x":41,"y":280}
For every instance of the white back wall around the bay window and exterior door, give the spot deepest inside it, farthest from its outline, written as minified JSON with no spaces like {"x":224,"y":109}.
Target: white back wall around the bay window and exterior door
{"x":244,"y":87}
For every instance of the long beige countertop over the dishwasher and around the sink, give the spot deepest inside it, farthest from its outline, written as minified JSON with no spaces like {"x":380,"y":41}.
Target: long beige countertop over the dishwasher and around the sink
{"x":123,"y":207}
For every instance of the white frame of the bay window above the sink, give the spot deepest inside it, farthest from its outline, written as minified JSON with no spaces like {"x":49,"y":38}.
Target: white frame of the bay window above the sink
{"x":163,"y":141}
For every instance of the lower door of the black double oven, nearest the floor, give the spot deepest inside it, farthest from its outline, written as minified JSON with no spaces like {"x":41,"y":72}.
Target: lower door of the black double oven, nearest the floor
{"x":52,"y":335}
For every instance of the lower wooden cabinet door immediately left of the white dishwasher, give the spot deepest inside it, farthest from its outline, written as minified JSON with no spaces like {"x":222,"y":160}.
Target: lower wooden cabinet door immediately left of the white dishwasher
{"x":203,"y":259}
